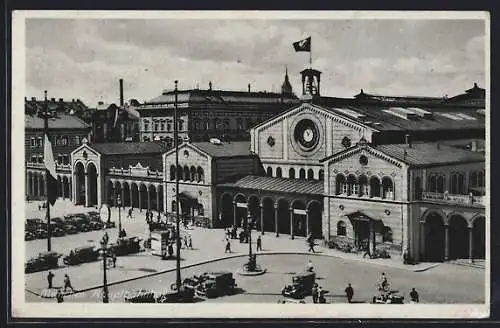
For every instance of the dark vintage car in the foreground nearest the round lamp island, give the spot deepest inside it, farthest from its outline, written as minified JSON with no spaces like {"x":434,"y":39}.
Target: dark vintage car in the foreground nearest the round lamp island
{"x":215,"y":284}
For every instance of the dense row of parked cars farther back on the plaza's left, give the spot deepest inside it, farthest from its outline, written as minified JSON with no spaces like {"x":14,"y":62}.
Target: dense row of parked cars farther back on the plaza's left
{"x":67,"y":225}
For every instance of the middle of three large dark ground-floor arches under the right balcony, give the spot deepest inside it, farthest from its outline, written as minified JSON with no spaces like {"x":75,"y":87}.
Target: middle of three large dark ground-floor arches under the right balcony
{"x":458,"y":244}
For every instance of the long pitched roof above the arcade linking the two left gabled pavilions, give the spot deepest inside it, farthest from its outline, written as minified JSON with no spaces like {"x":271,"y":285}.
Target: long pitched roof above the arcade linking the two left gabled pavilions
{"x":123,"y":148}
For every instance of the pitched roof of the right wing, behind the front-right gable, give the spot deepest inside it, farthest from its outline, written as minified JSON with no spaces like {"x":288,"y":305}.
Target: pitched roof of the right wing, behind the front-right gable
{"x":430,"y":154}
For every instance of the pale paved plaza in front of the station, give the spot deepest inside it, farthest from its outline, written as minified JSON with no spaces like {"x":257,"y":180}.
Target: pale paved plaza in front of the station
{"x":443,"y":283}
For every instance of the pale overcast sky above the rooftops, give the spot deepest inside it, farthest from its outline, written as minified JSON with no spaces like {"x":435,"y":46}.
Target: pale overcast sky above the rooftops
{"x":84,"y":58}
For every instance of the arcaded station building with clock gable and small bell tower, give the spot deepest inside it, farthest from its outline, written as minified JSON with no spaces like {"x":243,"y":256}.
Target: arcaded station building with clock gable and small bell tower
{"x":401,"y":173}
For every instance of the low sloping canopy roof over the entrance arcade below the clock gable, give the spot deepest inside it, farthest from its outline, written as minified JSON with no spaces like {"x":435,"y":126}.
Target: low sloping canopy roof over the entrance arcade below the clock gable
{"x":313,"y":187}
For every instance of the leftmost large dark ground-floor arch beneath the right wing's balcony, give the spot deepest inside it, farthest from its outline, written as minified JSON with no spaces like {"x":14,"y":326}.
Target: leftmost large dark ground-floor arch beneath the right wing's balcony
{"x":434,"y":238}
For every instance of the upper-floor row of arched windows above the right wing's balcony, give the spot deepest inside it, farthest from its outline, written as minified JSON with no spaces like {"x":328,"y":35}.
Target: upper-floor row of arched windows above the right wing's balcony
{"x":456,"y":184}
